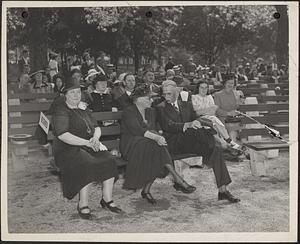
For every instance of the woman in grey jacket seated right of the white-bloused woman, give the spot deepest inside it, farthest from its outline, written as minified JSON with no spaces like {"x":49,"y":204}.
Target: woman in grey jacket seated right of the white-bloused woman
{"x":228,"y":101}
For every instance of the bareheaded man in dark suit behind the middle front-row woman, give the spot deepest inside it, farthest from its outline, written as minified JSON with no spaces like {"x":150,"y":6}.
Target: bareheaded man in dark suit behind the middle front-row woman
{"x":122,"y":94}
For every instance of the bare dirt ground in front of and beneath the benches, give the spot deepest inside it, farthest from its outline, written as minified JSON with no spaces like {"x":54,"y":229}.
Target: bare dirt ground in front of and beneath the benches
{"x":36,"y":205}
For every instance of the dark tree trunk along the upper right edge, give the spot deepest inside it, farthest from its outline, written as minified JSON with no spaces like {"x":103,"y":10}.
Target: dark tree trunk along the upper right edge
{"x":282,"y":35}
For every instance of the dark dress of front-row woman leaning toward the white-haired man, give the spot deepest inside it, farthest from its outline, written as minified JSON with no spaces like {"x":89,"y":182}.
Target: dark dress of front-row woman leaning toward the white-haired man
{"x":146,"y":159}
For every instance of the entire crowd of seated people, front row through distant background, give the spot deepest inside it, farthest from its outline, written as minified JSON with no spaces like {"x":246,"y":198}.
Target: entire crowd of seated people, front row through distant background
{"x":160,"y":119}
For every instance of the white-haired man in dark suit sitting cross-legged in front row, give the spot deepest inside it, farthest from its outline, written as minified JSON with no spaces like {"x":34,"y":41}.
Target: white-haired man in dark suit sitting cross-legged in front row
{"x":185,"y":134}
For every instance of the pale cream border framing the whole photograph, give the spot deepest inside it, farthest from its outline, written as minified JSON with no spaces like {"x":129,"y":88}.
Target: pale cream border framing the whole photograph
{"x":291,"y":236}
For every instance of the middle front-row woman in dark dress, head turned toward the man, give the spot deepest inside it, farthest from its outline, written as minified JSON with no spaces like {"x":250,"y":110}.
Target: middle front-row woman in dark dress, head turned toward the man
{"x":144,"y":148}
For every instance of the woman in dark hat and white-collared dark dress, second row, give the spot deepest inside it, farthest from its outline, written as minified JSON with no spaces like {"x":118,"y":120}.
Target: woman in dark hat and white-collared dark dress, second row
{"x":101,"y":98}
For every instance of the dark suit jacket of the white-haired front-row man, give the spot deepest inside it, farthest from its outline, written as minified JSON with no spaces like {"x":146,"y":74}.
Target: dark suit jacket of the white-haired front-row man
{"x":171,"y":121}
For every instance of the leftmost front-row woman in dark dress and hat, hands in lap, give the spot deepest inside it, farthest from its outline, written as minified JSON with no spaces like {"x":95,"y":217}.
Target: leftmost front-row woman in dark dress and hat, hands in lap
{"x":80,"y":156}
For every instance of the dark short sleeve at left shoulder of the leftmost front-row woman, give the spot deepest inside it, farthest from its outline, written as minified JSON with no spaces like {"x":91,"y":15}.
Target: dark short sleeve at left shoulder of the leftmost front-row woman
{"x":60,"y":121}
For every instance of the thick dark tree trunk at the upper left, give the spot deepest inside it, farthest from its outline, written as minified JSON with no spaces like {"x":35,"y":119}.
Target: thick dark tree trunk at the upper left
{"x":37,"y":36}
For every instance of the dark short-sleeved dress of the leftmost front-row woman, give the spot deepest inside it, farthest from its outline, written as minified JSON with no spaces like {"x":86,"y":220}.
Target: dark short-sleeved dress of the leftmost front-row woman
{"x":79,"y":166}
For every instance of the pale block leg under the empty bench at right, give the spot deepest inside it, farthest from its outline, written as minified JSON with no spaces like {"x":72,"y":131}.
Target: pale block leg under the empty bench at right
{"x":257,"y":163}
